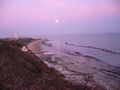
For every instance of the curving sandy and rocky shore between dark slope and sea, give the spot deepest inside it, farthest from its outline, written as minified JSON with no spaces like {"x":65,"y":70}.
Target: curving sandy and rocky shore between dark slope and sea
{"x":78,"y":68}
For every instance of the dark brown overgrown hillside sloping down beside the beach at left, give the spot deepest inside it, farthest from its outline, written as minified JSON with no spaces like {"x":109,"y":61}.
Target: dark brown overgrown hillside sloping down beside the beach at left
{"x":24,"y":71}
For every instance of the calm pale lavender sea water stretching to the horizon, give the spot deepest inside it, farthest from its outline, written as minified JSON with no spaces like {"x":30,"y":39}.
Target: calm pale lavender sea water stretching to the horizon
{"x":110,"y":42}
